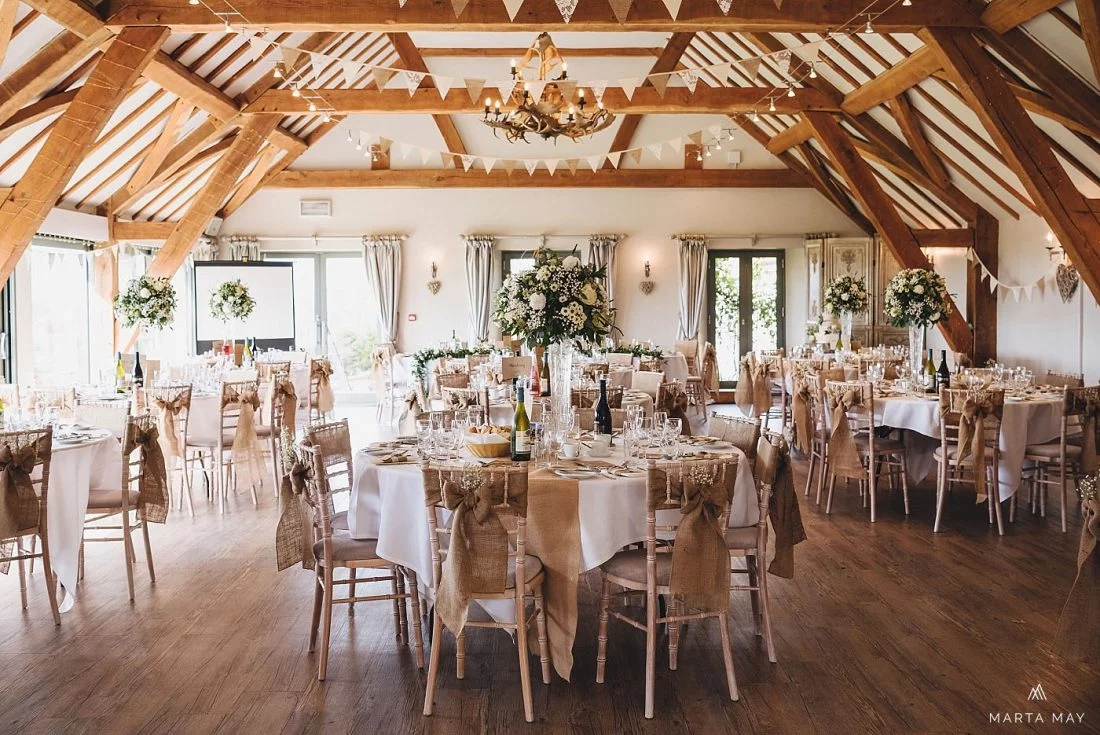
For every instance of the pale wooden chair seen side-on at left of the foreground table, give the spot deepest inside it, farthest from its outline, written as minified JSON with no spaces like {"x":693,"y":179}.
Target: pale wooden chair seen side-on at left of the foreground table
{"x":328,"y":453}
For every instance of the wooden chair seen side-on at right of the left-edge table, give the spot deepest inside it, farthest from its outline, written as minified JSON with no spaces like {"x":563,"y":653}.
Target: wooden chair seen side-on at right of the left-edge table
{"x":116,"y":504}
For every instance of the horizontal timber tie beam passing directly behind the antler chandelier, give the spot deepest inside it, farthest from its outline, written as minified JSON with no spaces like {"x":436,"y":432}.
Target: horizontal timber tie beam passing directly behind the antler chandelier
{"x":719,"y":101}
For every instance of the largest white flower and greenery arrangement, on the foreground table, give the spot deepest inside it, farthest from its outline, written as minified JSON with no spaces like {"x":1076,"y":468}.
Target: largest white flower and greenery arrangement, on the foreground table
{"x":560,"y":300}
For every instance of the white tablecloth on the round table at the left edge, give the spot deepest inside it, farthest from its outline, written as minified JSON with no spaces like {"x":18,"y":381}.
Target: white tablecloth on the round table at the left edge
{"x":74,"y":471}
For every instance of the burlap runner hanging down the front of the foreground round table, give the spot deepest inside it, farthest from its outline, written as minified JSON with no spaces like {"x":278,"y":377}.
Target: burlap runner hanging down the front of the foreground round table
{"x":554,"y":535}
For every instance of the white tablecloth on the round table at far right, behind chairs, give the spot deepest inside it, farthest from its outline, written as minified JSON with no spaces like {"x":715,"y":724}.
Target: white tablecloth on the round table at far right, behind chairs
{"x":1025,"y":423}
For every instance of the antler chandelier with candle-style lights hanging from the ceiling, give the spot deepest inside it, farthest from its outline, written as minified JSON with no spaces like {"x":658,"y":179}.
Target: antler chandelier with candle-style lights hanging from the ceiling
{"x":543,"y":106}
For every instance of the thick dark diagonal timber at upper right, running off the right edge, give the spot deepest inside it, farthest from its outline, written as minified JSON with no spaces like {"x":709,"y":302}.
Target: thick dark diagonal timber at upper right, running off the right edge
{"x":1026,"y":148}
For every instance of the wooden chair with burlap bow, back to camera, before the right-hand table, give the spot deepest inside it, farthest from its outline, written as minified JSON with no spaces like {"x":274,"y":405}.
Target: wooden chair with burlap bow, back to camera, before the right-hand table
{"x":953,"y":409}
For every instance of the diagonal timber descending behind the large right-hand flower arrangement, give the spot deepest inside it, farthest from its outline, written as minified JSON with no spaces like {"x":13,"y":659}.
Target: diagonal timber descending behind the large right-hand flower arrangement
{"x":882,"y":212}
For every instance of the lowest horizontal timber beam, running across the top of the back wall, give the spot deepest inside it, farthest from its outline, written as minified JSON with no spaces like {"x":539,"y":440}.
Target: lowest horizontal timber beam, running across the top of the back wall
{"x":417,"y":179}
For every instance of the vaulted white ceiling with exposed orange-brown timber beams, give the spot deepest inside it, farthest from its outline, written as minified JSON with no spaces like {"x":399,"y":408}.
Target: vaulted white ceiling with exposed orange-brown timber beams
{"x":202,"y":122}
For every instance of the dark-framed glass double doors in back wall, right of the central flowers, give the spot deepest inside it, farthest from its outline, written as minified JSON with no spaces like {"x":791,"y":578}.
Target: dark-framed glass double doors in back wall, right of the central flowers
{"x":745,"y":306}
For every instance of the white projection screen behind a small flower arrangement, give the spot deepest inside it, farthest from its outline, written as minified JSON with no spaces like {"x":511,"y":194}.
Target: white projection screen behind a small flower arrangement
{"x":272,"y":322}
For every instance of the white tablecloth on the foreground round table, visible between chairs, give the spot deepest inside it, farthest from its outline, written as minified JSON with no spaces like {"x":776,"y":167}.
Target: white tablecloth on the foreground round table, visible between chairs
{"x":388,"y":503}
